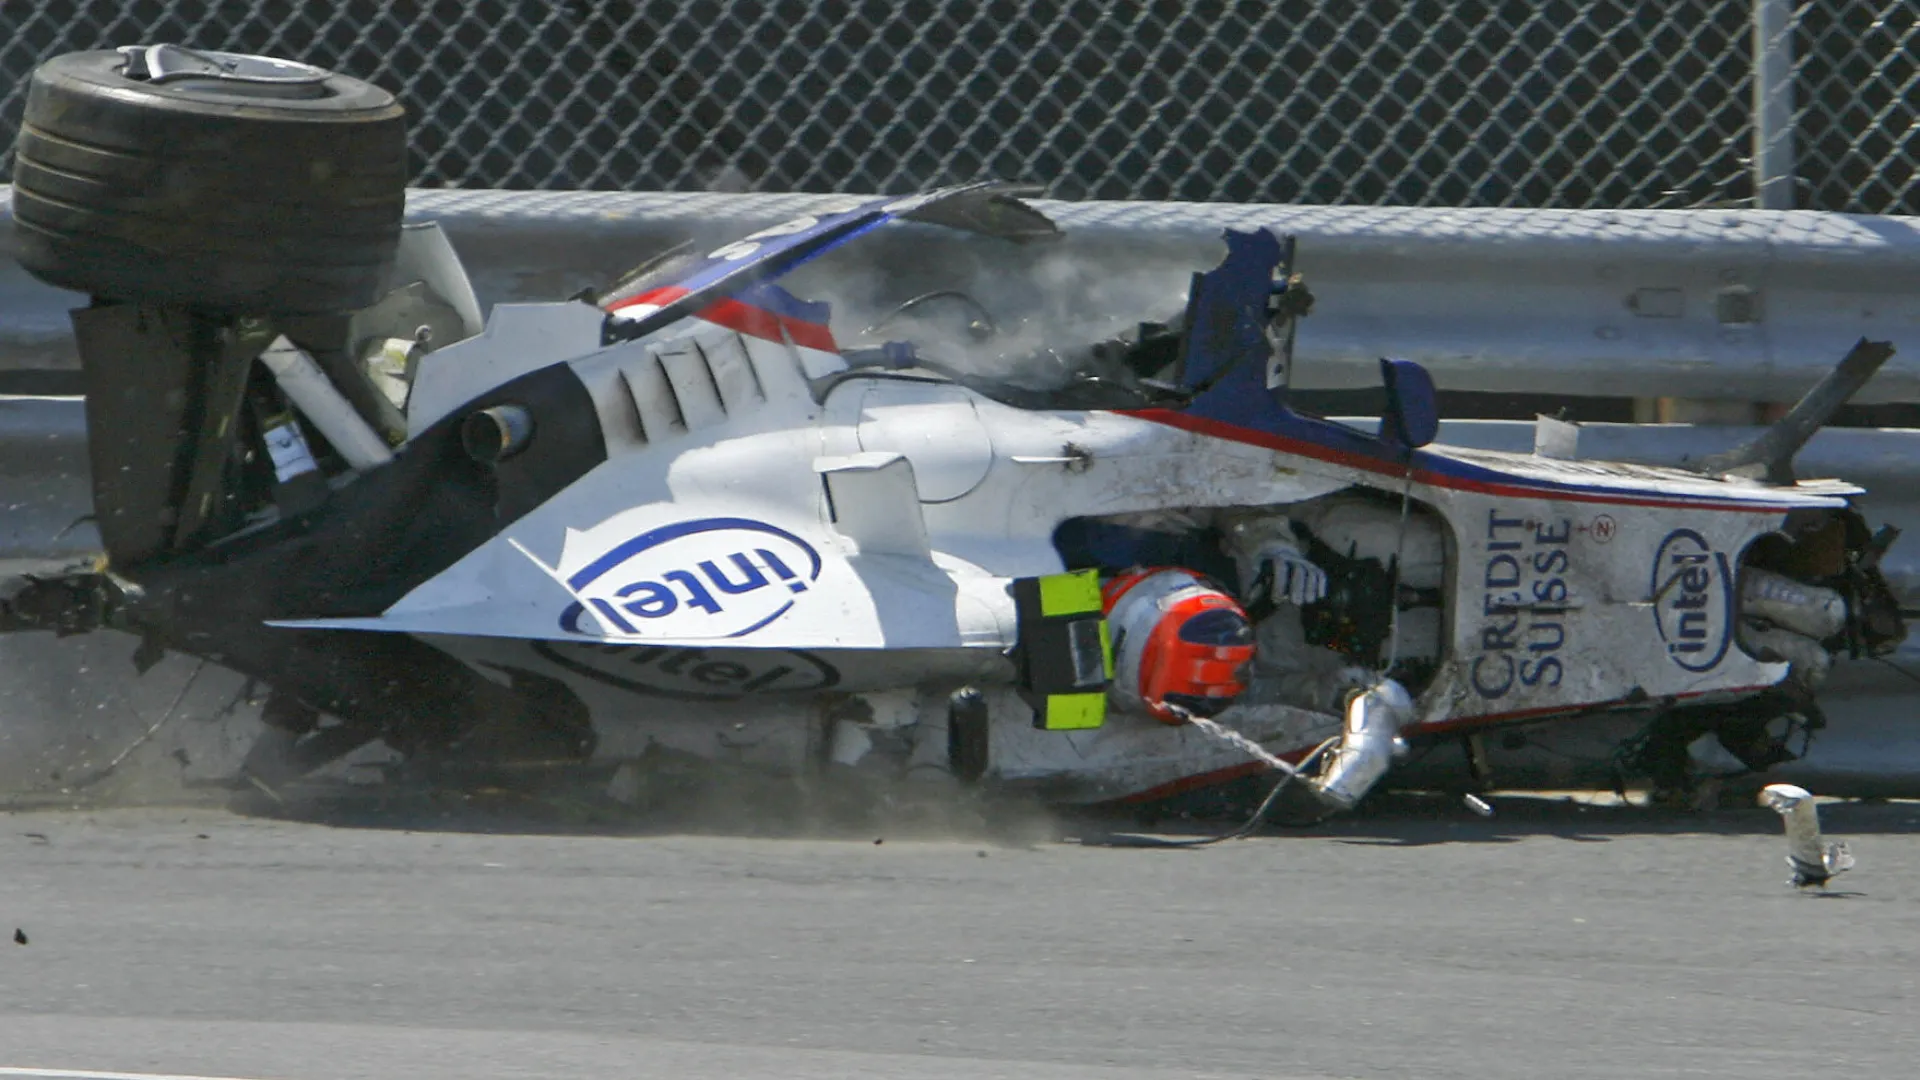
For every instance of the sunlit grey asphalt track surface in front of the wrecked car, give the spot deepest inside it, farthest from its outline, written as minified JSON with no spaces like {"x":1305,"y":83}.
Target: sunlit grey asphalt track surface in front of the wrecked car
{"x":1548,"y":941}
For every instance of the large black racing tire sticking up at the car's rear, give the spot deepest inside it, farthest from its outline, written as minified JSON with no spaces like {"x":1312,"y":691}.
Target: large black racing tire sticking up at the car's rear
{"x":204,"y":195}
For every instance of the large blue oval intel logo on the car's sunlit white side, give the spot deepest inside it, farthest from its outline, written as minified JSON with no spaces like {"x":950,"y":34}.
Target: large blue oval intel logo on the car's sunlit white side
{"x":717,"y":577}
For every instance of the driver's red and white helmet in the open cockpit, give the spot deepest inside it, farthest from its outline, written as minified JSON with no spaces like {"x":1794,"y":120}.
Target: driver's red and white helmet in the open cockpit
{"x":1180,"y":645}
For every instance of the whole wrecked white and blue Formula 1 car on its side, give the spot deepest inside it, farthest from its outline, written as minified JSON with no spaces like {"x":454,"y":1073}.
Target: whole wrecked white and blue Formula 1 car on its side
{"x":698,"y":514}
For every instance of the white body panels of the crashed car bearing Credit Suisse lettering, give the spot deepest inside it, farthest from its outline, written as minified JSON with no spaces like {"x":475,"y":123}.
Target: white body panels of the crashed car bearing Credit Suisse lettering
{"x":771,"y":531}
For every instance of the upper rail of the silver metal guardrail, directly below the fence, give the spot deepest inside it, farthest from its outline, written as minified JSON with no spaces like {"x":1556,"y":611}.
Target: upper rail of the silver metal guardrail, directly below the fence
{"x":1744,"y":307}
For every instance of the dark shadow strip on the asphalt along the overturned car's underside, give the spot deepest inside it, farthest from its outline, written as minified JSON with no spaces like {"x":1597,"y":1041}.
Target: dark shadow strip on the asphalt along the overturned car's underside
{"x":775,"y":810}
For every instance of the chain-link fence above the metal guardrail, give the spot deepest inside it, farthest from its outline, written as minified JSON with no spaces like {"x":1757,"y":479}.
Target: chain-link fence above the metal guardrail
{"x":1460,"y":103}
